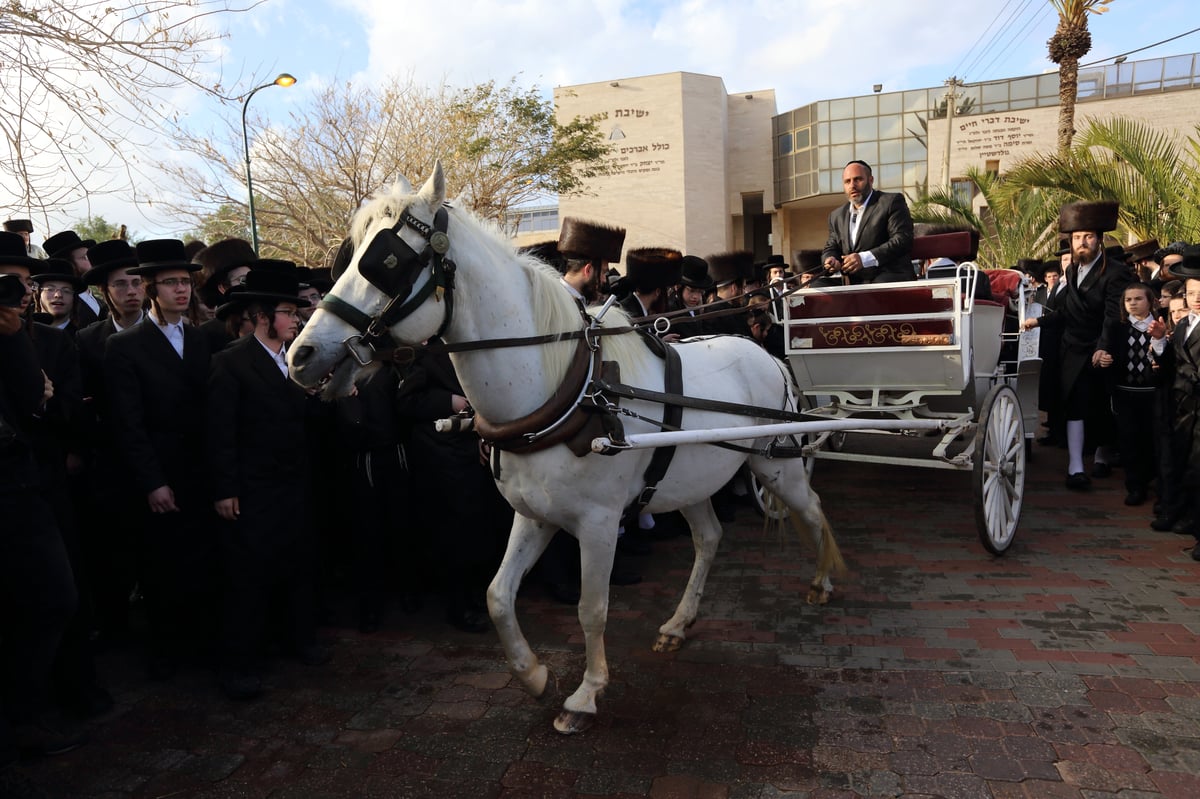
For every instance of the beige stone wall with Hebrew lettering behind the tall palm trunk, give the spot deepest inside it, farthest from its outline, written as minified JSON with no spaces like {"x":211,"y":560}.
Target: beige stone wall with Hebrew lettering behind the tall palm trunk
{"x":1011,"y":136}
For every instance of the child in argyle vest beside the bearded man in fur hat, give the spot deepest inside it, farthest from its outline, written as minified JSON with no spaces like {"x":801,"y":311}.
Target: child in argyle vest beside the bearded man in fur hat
{"x":1132,"y":347}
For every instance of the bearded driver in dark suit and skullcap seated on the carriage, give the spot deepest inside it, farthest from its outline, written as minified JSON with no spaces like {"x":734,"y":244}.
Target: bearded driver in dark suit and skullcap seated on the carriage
{"x":871,"y":237}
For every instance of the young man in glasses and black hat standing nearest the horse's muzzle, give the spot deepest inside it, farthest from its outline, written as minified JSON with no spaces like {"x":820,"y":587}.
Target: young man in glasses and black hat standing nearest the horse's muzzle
{"x":259,"y":456}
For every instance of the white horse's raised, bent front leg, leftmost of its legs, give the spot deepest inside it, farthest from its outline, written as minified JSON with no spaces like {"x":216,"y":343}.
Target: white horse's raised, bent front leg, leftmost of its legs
{"x":527,"y":542}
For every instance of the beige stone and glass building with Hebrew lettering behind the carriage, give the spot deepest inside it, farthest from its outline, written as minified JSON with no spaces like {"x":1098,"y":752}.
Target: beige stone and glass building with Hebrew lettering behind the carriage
{"x":706,"y":171}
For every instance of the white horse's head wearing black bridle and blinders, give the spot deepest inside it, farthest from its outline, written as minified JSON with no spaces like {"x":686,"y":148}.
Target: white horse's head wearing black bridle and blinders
{"x":397,"y":289}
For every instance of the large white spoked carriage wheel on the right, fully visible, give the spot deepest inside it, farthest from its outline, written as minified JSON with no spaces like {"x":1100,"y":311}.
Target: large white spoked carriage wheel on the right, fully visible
{"x":999,"y":474}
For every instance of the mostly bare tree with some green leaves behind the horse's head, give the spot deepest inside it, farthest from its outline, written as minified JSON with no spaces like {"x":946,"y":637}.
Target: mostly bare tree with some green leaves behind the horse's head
{"x":501,"y":147}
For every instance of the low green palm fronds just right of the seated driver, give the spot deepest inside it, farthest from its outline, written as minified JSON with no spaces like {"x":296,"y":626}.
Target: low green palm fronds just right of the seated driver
{"x":1011,"y":226}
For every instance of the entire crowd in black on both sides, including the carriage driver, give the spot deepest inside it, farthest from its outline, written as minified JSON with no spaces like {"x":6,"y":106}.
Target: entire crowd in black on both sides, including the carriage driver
{"x":157,"y":456}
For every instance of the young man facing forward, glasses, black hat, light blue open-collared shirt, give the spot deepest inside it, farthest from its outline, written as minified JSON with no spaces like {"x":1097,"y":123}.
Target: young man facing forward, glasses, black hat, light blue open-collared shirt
{"x":155,"y":375}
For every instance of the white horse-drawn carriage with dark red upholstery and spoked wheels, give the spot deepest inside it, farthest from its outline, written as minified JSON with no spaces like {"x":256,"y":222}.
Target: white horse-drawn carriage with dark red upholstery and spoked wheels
{"x":907,"y":359}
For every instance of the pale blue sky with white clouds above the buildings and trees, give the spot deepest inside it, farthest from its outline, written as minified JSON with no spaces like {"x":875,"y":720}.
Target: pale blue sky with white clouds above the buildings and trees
{"x":805,"y":50}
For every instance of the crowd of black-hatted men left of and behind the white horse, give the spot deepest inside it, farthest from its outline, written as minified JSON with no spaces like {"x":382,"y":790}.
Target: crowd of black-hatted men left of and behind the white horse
{"x":166,"y":486}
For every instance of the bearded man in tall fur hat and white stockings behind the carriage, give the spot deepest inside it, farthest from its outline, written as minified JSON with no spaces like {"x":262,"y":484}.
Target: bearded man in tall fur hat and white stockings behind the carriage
{"x":1089,"y":303}
